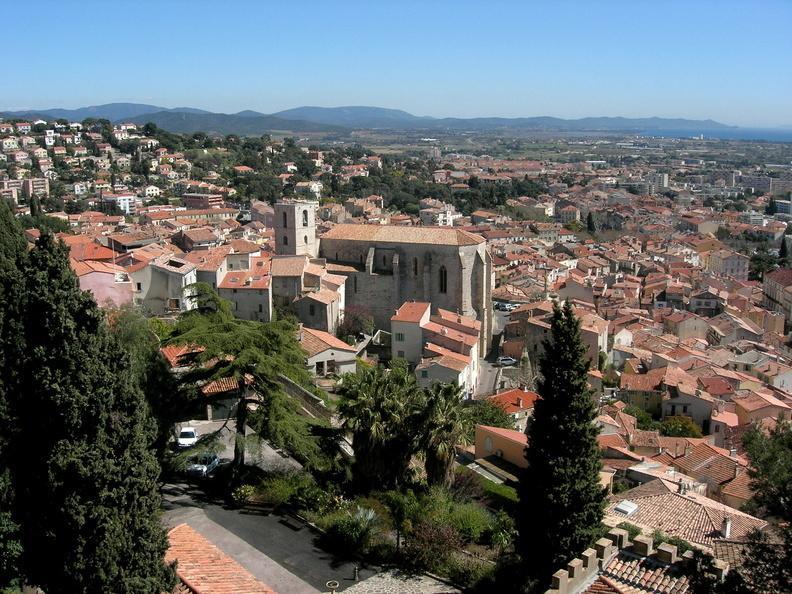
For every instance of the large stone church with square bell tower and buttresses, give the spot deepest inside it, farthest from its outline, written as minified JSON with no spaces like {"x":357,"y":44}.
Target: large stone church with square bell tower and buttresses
{"x":386,"y":265}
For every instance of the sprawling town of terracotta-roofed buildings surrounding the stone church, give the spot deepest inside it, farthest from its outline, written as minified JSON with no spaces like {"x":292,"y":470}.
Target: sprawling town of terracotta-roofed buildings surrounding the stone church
{"x":674,"y":261}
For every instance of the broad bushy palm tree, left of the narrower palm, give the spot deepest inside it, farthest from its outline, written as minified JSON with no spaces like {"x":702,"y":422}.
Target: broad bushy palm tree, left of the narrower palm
{"x":384,"y":411}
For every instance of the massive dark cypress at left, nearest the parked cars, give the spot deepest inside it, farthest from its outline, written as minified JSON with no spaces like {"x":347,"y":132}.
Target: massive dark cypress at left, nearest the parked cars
{"x":85,"y":477}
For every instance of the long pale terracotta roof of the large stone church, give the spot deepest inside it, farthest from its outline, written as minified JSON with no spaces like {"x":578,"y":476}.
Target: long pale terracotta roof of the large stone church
{"x":401,"y":234}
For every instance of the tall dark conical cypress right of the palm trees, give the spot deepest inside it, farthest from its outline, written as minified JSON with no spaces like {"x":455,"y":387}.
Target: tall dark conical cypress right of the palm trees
{"x":561,"y":500}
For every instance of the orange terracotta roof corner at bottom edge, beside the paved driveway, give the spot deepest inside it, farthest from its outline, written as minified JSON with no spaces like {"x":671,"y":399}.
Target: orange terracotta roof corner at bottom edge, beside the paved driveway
{"x":205,"y":569}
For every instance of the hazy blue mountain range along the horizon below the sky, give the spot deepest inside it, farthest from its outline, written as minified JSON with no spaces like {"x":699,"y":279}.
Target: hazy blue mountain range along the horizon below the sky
{"x":346,"y":119}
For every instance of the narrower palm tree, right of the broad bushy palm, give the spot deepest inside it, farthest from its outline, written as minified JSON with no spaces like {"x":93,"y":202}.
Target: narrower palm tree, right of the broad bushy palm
{"x":447,"y":425}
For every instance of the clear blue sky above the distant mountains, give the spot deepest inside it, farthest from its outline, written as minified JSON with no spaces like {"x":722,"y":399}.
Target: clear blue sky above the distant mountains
{"x":730,"y":61}
